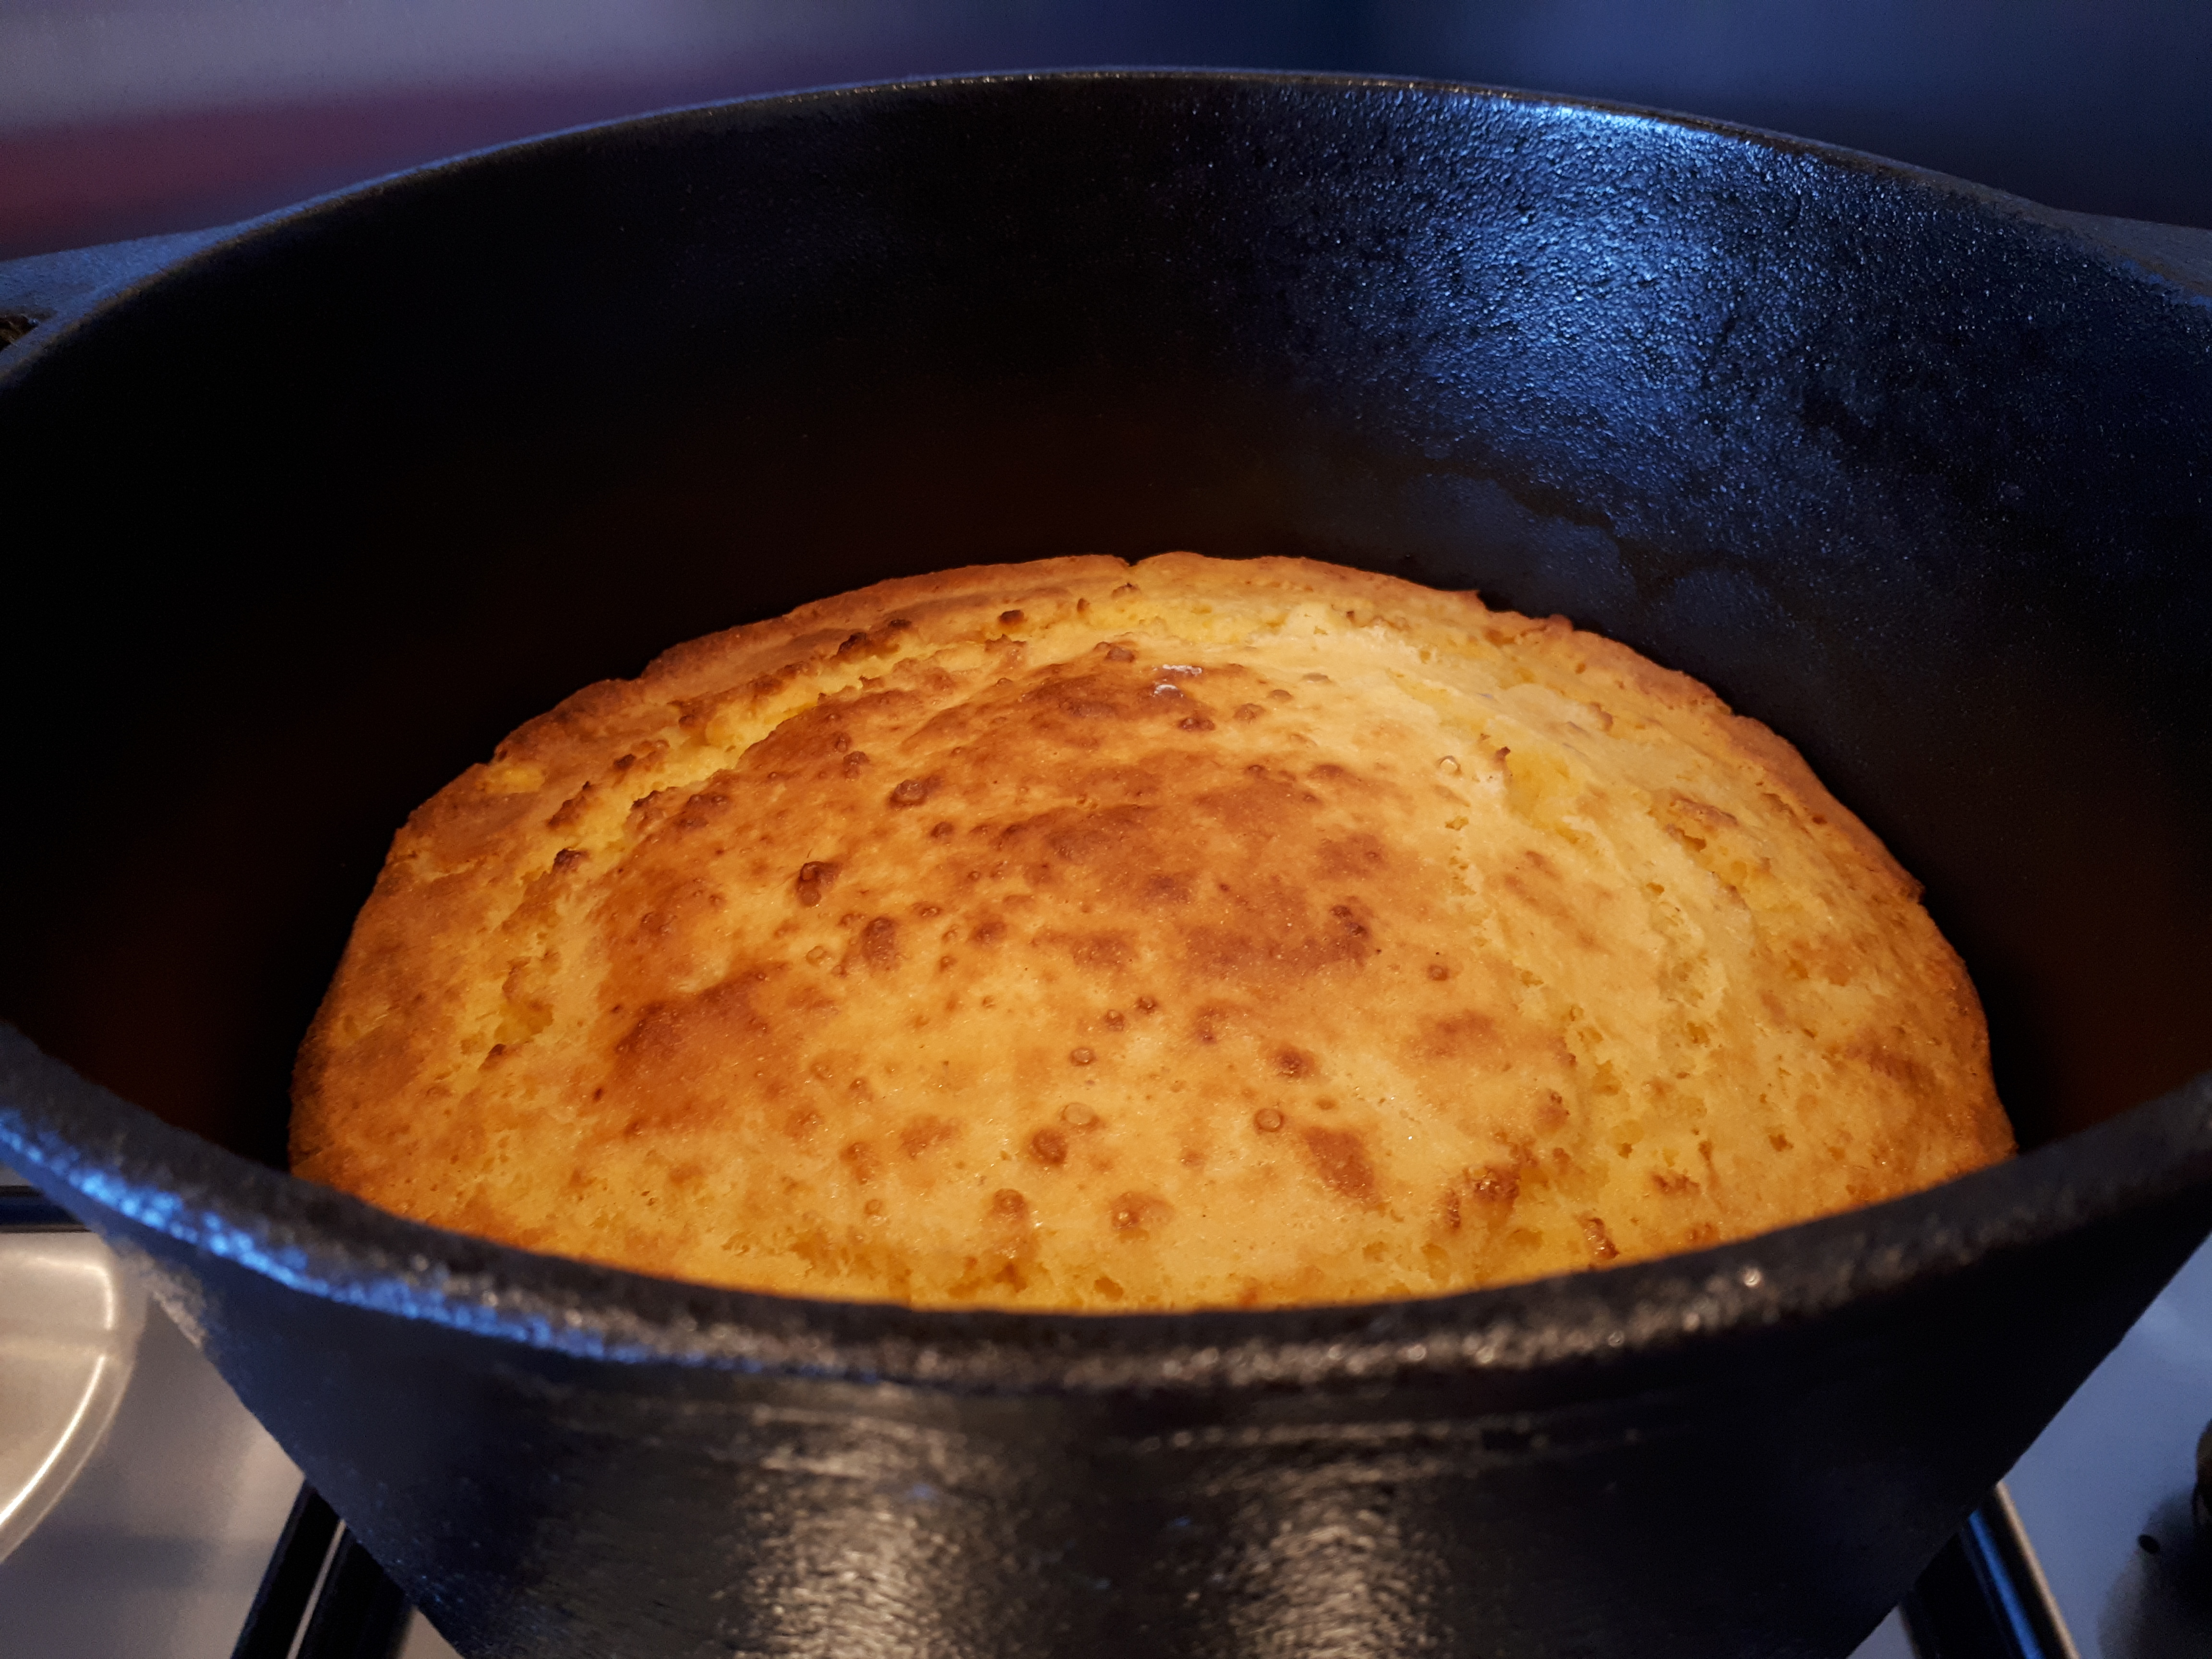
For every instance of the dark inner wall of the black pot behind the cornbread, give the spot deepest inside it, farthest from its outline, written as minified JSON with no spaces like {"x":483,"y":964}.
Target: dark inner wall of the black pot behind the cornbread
{"x":313,"y":523}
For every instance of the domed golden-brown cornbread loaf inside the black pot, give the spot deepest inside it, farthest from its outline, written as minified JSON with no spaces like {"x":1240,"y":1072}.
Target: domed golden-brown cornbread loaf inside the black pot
{"x":1196,"y":932}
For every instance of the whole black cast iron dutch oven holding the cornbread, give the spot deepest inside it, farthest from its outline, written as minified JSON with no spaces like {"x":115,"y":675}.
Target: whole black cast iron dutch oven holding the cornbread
{"x":1914,"y":472}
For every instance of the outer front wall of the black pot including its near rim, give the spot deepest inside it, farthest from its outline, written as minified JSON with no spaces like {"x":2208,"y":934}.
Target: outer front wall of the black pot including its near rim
{"x":1742,"y":1452}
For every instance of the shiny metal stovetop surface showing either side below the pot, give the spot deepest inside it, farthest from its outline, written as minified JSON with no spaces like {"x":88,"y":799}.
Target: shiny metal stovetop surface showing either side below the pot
{"x":158,"y":1547}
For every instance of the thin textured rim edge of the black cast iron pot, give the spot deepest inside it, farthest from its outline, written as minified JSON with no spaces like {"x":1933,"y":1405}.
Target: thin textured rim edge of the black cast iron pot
{"x":123,"y":1169}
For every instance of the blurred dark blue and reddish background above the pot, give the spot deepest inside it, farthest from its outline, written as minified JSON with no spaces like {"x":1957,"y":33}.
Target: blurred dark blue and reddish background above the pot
{"x":125,"y":118}
